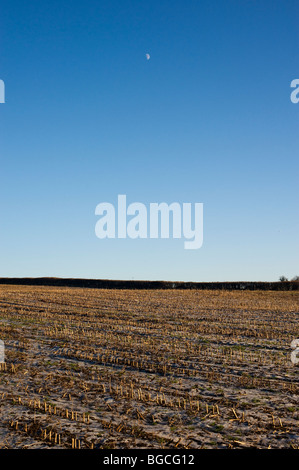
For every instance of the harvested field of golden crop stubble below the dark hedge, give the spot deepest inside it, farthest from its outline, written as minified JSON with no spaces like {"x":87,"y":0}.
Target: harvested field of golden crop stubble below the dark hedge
{"x":103,"y":368}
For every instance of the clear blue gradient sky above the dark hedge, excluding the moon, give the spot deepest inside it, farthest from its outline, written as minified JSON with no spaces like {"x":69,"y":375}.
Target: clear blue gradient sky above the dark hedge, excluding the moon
{"x":207,"y":119}
